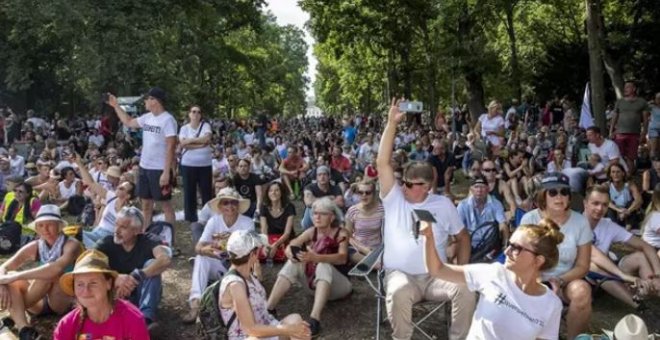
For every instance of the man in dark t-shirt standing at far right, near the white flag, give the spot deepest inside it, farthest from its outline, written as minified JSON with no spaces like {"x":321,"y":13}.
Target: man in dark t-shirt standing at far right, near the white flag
{"x":630,"y":123}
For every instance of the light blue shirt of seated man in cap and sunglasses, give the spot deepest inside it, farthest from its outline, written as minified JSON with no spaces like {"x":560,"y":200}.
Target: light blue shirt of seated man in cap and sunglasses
{"x":472,"y":218}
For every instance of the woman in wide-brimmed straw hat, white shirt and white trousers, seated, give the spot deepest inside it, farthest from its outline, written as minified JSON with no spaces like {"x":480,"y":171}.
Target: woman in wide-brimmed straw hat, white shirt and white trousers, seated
{"x":229,"y":207}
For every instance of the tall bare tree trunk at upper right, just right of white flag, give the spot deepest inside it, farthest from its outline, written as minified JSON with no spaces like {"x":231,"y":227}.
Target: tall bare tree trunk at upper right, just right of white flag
{"x":594,"y":30}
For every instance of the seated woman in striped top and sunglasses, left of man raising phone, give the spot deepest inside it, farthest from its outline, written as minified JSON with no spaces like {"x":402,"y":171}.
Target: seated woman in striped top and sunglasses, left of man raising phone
{"x":364,"y":221}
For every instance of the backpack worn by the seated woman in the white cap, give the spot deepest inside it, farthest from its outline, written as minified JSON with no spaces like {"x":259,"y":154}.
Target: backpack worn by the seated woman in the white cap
{"x":211,"y":326}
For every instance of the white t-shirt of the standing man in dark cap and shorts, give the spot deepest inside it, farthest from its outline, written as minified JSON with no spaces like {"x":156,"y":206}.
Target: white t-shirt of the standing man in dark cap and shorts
{"x":155,"y":131}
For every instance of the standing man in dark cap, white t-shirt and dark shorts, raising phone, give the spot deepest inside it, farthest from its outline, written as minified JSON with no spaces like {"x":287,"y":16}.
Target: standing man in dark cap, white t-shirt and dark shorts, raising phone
{"x":157,"y":159}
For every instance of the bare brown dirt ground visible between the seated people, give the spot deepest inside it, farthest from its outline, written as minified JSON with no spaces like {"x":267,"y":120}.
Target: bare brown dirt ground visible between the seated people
{"x":353,"y":318}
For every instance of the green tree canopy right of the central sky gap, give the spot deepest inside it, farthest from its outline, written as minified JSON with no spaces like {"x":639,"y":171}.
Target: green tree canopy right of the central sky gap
{"x":369,"y":50}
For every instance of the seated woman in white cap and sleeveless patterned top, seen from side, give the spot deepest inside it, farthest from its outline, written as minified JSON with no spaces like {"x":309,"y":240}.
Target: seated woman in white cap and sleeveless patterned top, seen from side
{"x":243,"y":296}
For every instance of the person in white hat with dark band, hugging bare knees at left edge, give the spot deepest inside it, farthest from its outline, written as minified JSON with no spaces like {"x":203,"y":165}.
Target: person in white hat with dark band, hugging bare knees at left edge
{"x":36,"y":290}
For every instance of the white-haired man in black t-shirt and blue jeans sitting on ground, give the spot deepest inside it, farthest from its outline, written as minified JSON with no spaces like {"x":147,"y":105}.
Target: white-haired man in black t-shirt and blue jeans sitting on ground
{"x":139,"y":259}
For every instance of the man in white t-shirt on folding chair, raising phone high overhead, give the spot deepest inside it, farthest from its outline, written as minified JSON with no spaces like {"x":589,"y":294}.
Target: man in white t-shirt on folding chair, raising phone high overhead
{"x":406,"y":280}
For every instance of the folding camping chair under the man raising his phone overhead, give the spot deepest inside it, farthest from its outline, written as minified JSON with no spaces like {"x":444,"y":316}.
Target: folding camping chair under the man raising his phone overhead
{"x":363,"y":270}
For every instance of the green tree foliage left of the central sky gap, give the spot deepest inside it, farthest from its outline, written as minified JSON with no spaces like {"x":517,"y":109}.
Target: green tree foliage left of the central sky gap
{"x":225,"y":55}
